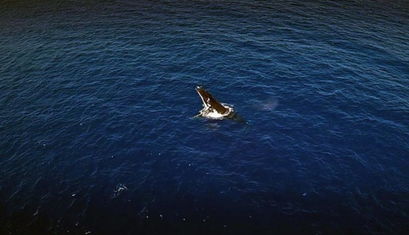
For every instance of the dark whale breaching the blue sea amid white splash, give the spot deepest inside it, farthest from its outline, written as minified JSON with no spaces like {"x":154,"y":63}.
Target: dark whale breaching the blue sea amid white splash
{"x":213,"y":109}
